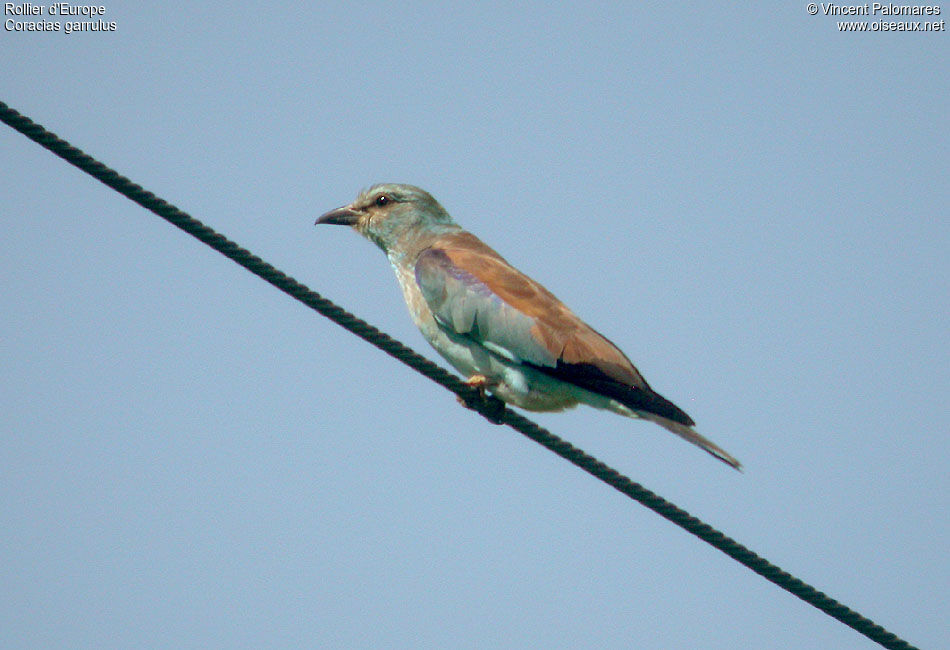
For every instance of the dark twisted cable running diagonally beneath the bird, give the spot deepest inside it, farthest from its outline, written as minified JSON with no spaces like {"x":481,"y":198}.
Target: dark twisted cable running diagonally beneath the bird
{"x":491,"y":408}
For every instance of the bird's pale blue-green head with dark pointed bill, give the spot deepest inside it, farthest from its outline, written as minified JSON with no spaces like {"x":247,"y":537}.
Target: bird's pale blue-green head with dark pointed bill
{"x":393,"y":216}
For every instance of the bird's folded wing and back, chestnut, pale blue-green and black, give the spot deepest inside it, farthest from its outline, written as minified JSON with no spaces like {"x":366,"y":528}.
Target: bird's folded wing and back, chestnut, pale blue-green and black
{"x":472,"y":291}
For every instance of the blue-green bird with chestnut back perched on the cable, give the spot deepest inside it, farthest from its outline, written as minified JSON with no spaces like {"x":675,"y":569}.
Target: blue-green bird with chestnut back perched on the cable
{"x":498,"y":327}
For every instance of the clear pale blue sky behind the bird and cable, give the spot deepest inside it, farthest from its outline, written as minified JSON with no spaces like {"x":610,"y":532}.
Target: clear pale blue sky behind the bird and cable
{"x":749,"y":203}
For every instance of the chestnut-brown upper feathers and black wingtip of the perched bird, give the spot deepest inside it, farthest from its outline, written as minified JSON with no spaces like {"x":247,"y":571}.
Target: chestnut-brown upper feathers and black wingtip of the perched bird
{"x":585,"y":357}
